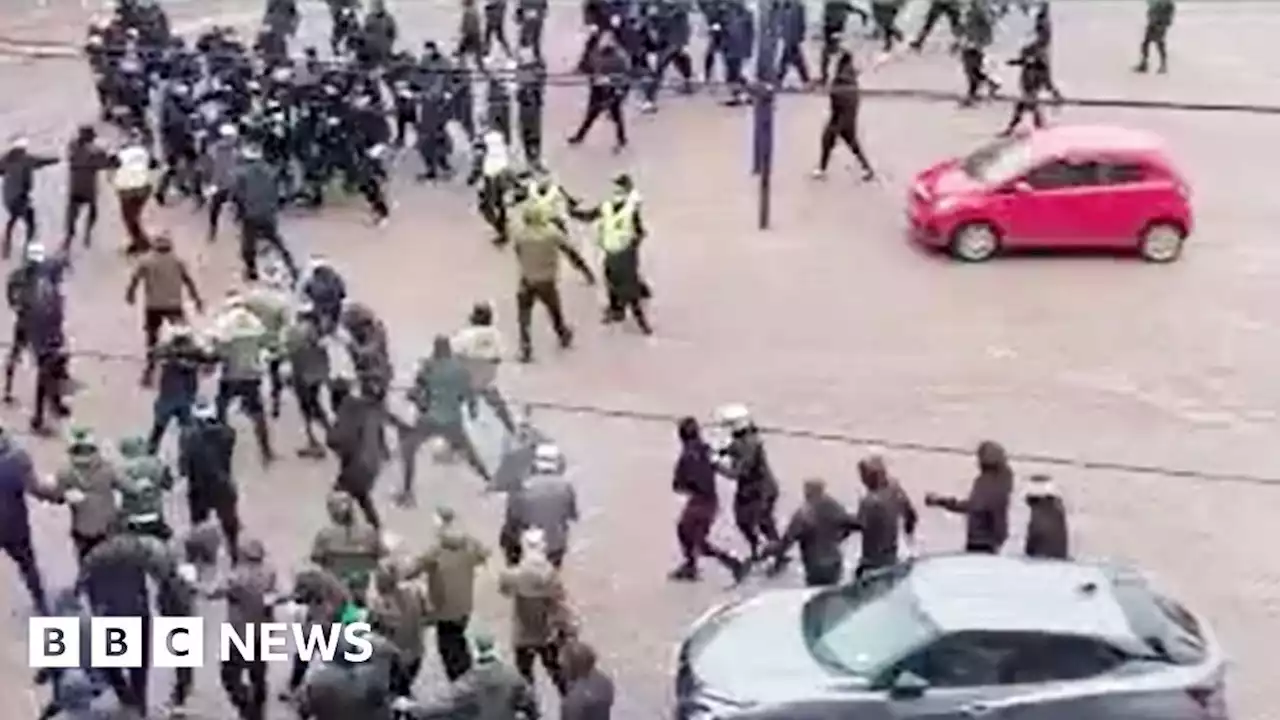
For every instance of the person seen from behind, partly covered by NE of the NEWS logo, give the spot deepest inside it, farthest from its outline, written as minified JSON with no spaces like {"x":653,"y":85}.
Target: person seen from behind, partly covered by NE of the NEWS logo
{"x":250,"y":593}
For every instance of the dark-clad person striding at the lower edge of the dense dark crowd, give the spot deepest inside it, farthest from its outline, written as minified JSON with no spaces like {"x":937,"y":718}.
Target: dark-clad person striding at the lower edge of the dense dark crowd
{"x":257,"y":195}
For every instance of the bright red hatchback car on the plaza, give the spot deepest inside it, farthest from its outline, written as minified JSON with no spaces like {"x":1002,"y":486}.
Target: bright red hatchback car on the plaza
{"x":1063,"y":188}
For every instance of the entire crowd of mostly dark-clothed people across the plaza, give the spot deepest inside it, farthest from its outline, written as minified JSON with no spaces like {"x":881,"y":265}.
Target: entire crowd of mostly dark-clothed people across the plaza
{"x":221,"y":124}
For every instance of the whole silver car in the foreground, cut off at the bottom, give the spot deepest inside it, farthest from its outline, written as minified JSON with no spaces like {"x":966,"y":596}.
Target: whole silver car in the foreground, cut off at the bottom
{"x":957,"y":637}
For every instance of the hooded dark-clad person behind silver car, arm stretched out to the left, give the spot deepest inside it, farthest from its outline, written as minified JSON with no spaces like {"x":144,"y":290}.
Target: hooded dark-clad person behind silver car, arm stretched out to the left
{"x":986,"y":509}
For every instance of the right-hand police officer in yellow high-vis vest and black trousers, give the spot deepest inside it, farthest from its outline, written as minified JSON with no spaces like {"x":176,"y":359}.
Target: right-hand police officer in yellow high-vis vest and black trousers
{"x":620,"y":231}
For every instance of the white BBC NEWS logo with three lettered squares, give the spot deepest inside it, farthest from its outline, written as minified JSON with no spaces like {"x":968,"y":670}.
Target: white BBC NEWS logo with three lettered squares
{"x":180,"y":642}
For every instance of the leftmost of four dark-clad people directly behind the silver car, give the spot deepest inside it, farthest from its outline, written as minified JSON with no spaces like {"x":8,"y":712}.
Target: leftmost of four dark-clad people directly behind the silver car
{"x":821,"y":527}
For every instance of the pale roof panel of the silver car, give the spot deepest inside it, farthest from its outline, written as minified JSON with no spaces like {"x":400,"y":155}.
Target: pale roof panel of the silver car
{"x":1000,"y":594}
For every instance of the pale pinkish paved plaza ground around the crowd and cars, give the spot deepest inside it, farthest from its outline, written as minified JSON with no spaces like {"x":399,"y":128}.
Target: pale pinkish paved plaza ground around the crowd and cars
{"x":829,"y":323}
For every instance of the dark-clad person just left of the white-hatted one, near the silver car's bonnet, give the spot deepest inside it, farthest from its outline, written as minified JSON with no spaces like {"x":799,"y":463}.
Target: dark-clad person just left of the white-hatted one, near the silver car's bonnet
{"x":696,"y":480}
